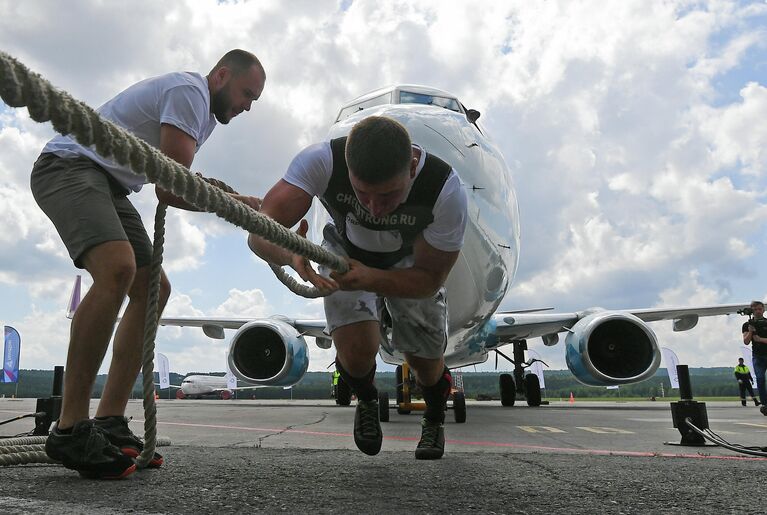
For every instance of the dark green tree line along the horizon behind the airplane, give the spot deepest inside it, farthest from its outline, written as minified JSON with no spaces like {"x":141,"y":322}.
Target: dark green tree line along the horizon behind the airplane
{"x":706,"y":382}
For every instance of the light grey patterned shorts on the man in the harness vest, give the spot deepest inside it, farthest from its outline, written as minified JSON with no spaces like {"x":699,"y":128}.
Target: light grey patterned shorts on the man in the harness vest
{"x":418,"y":326}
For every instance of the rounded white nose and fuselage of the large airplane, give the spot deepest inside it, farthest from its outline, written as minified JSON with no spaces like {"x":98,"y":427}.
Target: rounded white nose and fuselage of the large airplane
{"x":488,"y":261}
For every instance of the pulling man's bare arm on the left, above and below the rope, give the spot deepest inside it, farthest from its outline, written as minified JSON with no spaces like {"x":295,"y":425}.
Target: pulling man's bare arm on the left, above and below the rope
{"x":286,"y":204}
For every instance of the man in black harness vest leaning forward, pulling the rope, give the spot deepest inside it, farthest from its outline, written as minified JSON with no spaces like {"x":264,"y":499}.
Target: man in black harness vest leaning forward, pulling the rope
{"x":399,"y":216}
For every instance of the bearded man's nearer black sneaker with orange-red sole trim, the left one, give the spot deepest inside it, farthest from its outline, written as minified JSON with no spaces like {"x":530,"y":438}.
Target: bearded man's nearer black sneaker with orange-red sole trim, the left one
{"x":88,"y":451}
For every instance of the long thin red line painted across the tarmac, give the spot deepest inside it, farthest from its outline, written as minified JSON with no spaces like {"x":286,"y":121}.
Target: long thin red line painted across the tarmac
{"x":479,"y":443}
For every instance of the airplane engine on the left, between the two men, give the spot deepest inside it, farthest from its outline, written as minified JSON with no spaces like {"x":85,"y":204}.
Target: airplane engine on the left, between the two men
{"x":268,"y":352}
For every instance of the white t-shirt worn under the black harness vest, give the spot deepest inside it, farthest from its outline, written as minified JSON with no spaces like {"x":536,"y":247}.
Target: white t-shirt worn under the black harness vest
{"x":312,"y":168}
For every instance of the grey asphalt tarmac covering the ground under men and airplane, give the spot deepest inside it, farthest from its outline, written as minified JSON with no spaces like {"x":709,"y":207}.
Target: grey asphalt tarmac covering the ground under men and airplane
{"x":256,"y":456}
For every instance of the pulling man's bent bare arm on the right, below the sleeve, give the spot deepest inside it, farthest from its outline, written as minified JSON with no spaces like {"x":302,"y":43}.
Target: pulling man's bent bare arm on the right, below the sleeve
{"x":422,"y":280}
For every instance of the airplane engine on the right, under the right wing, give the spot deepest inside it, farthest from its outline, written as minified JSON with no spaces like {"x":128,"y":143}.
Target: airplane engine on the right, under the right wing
{"x":611,"y":348}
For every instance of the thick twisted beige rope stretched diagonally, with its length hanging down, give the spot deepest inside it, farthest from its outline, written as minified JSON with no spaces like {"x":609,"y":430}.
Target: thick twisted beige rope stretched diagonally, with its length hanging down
{"x":20,"y":87}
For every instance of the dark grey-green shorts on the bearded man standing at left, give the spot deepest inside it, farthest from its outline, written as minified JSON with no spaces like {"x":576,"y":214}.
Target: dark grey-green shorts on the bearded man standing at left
{"x":87,"y":206}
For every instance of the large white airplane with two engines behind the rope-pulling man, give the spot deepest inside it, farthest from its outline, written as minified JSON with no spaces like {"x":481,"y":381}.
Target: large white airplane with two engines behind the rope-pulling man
{"x":602,"y":347}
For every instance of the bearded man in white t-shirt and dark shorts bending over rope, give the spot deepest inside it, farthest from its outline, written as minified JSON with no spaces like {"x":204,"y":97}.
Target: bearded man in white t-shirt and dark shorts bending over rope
{"x":85,"y":196}
